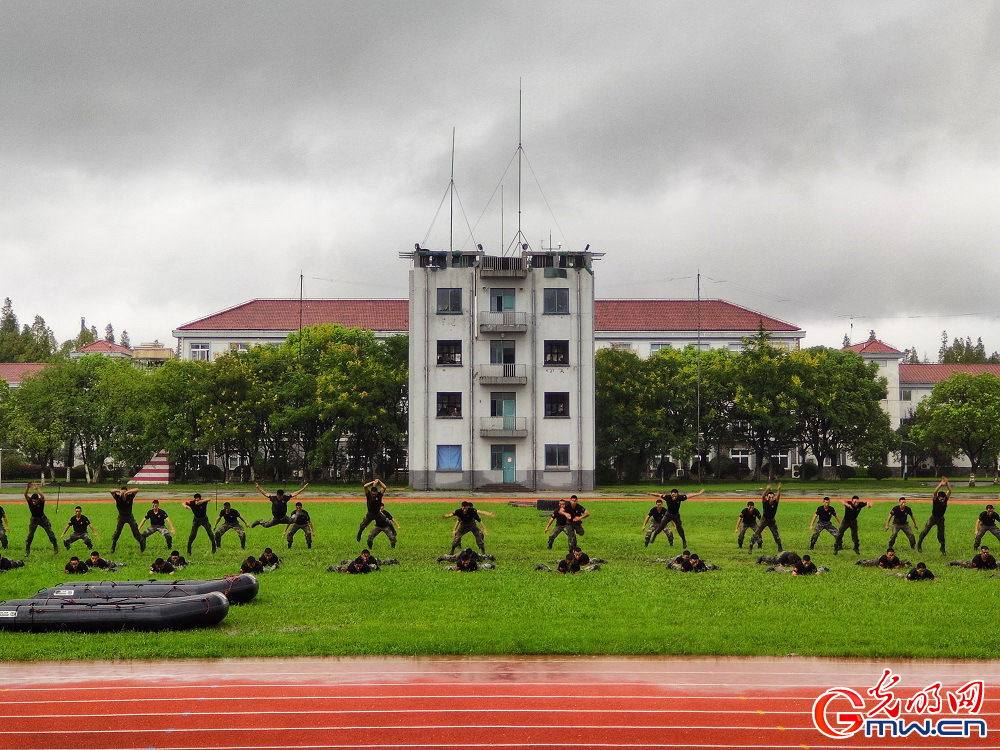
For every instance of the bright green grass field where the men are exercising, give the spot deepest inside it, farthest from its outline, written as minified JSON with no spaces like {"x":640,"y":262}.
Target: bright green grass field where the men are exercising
{"x":632,"y":606}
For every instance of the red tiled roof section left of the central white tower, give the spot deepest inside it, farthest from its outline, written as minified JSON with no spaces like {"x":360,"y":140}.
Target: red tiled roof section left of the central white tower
{"x":283,"y":315}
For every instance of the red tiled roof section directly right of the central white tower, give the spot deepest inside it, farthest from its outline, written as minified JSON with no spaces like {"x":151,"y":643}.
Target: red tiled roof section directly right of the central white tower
{"x":680,"y":315}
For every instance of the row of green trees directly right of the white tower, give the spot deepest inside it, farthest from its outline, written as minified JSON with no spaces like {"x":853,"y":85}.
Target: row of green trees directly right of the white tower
{"x":693,"y":405}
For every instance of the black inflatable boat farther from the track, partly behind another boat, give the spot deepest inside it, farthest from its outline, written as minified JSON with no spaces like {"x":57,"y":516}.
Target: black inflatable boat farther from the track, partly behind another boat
{"x":238,"y":589}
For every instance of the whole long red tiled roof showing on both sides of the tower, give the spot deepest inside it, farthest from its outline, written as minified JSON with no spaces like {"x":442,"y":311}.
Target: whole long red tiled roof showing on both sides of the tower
{"x":393,"y":315}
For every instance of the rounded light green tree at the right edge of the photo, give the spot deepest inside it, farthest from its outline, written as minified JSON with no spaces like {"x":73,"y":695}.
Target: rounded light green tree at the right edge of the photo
{"x":961,"y":416}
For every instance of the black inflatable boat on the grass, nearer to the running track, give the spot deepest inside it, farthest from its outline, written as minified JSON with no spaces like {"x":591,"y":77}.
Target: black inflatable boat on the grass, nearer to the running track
{"x":92,"y":614}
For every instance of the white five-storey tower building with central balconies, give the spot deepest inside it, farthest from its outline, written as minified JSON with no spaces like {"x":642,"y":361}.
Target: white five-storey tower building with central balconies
{"x":501,"y":360}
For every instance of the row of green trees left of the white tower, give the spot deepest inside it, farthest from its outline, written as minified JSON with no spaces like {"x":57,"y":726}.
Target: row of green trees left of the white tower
{"x":329,"y":400}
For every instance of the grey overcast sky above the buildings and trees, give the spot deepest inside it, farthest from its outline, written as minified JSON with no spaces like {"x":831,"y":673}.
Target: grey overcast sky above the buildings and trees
{"x":832,"y":164}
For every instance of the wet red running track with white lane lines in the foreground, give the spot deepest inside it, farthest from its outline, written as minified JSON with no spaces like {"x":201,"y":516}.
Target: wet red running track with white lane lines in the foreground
{"x":495,"y":703}
